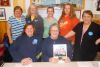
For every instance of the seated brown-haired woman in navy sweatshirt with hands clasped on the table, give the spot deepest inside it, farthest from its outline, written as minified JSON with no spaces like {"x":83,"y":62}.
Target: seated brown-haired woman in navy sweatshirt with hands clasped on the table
{"x":26,"y":47}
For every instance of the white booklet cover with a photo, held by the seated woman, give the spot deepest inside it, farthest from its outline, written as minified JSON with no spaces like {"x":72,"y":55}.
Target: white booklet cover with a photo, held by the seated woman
{"x":60,"y":51}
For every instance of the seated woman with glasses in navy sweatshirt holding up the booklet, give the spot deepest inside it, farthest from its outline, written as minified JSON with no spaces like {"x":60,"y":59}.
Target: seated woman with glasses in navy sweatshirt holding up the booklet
{"x":54,"y":38}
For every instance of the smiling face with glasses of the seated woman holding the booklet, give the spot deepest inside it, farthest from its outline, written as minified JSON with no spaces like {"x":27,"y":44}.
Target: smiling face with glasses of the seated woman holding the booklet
{"x":54,"y":32}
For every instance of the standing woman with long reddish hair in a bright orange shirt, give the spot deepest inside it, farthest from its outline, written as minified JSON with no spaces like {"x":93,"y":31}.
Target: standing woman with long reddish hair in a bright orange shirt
{"x":68,"y":21}
